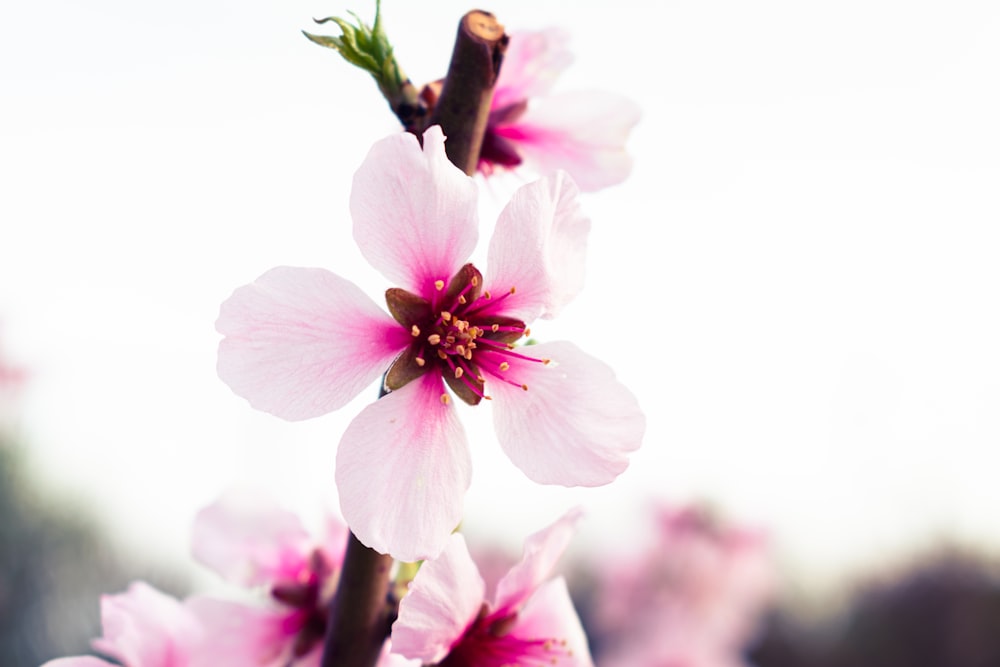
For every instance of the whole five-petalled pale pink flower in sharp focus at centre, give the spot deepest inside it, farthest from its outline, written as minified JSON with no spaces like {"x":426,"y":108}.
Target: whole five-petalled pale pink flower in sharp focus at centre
{"x":303,"y":342}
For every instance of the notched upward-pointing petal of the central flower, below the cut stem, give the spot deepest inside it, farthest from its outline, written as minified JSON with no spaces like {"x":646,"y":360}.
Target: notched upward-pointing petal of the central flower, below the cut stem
{"x":415,"y":215}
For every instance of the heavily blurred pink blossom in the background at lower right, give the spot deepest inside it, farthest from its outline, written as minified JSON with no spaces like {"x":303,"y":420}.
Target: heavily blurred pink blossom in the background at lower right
{"x":693,"y":599}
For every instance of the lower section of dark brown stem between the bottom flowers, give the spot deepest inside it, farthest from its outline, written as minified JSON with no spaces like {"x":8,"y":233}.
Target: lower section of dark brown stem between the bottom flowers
{"x":361,"y":611}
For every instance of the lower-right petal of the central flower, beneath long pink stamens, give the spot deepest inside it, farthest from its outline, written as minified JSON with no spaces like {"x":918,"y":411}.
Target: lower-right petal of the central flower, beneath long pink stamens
{"x":575,"y":425}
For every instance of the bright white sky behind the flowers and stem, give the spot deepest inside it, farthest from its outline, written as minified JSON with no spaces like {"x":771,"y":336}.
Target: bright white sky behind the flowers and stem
{"x":799,"y":281}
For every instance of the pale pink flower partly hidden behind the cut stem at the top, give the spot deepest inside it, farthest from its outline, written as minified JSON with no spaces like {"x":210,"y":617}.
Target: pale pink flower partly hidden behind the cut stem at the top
{"x":581,"y":132}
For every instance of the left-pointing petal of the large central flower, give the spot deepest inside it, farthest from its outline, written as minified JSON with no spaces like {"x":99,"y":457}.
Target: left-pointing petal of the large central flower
{"x":303,"y":342}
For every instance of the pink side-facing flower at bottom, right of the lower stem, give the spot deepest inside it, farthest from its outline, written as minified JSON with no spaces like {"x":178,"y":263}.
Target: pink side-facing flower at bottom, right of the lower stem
{"x":444,"y":618}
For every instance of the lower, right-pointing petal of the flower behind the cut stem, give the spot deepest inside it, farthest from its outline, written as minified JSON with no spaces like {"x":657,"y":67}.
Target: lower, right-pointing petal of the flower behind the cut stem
{"x":582,"y":132}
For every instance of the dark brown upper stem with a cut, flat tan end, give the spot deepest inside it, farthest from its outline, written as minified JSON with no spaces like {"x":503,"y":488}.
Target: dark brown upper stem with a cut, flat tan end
{"x":463,"y":109}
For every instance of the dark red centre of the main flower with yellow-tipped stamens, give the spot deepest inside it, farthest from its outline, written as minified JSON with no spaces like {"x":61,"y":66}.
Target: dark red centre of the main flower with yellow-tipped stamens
{"x":461,"y":332}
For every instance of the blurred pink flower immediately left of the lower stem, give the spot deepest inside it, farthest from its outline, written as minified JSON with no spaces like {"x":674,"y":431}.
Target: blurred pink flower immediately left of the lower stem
{"x":252,"y":542}
